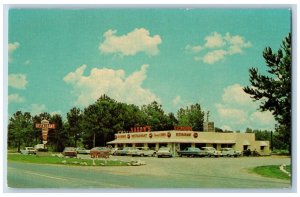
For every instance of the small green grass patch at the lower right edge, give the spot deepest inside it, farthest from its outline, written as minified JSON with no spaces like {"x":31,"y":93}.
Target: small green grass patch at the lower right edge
{"x":272,"y":171}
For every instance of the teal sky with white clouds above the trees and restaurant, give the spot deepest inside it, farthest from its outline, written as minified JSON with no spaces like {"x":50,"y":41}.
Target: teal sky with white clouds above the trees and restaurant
{"x":62,"y":58}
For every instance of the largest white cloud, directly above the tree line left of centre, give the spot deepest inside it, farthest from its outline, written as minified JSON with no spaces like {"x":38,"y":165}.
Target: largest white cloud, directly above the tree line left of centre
{"x":113,"y":83}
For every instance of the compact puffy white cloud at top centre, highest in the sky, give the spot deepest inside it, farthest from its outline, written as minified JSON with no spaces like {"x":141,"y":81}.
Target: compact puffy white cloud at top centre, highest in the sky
{"x":139,"y":40}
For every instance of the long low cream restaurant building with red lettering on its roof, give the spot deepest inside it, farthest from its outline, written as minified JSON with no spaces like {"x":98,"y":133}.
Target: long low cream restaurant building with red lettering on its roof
{"x":182,"y":137}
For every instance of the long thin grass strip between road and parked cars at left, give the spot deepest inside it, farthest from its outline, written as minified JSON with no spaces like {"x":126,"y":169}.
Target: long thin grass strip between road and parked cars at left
{"x":46,"y":159}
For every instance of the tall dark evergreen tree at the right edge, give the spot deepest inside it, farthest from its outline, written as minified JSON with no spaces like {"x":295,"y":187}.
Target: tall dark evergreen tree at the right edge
{"x":274,"y":90}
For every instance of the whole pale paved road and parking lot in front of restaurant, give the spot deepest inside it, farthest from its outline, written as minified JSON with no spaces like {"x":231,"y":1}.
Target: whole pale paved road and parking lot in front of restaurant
{"x":173,"y":173}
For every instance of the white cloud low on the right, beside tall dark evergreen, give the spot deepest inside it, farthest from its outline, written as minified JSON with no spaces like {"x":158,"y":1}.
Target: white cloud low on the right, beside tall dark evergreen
{"x":237,"y":110}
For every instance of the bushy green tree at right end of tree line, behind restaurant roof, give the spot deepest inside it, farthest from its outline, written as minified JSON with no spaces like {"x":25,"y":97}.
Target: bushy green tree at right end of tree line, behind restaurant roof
{"x":191,"y":116}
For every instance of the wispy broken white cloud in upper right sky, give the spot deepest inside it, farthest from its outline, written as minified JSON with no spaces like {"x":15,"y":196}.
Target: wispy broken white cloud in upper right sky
{"x":216,"y":47}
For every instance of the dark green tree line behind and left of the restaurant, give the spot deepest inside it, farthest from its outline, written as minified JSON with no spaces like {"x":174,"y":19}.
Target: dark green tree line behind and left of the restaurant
{"x":98,"y":123}
